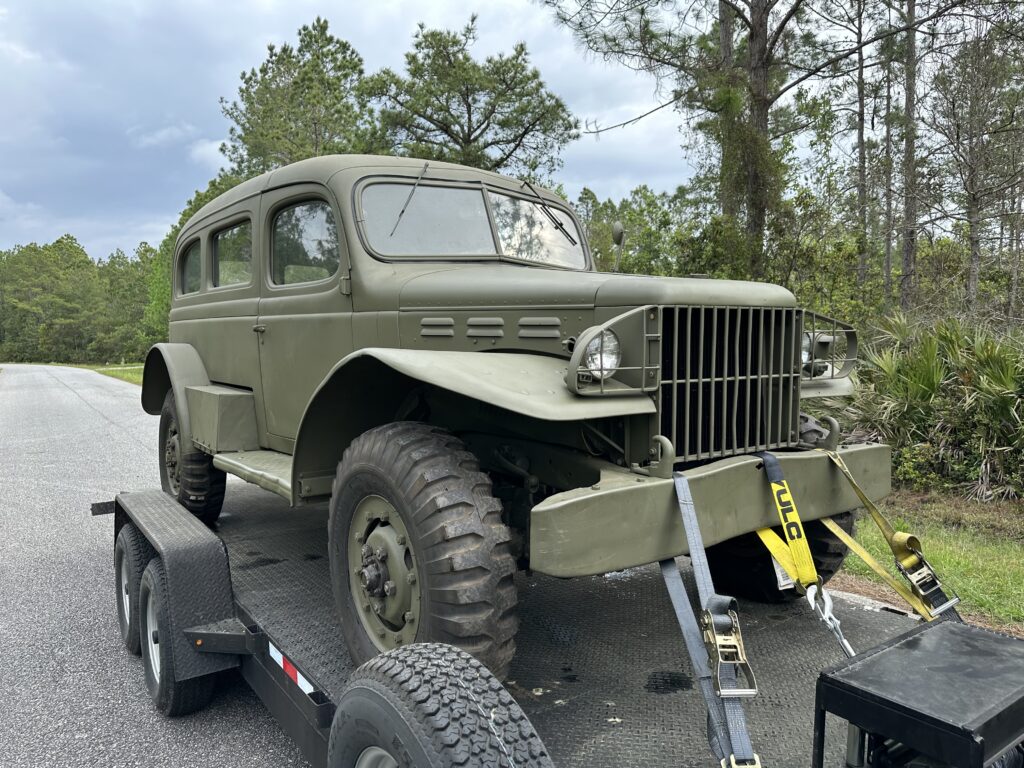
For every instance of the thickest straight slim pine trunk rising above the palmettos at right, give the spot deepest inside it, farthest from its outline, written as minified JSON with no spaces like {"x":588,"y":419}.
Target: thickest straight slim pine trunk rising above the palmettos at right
{"x":910,"y":161}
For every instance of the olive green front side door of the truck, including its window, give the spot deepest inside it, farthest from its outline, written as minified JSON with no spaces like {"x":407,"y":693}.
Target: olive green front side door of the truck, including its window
{"x":306,"y":321}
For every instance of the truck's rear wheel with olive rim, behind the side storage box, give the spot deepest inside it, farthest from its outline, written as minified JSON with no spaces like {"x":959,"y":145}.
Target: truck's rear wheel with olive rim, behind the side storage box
{"x":186,"y":474}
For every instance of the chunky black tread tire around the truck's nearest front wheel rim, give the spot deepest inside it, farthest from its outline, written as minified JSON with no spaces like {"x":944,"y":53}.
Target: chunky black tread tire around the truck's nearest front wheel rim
{"x":463,"y":564}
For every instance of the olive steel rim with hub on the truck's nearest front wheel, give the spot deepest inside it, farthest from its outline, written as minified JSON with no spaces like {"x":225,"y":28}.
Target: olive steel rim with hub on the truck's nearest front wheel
{"x":391,"y":619}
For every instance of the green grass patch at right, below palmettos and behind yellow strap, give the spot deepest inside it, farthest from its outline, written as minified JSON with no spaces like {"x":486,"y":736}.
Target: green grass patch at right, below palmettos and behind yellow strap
{"x":976,"y":548}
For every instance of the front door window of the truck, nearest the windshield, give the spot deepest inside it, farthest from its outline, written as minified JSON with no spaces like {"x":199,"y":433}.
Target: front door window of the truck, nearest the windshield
{"x":306,"y":244}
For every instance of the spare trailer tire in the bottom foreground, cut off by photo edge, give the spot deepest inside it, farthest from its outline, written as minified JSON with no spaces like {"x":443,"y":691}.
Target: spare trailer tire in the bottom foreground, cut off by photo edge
{"x":431,"y":706}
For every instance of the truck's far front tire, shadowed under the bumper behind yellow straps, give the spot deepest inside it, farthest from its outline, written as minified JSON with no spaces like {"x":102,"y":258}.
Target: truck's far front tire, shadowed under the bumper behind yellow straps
{"x":743,"y":568}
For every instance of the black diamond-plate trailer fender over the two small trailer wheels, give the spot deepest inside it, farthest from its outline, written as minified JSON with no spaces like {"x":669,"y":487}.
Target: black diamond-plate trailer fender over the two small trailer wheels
{"x":199,"y":582}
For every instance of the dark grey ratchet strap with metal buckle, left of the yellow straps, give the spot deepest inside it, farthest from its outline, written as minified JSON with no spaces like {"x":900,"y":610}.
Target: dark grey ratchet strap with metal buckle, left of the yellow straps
{"x":715,"y":646}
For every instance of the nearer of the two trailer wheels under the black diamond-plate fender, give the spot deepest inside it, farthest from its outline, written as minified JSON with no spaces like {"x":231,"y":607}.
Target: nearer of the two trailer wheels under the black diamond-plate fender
{"x":174,"y":698}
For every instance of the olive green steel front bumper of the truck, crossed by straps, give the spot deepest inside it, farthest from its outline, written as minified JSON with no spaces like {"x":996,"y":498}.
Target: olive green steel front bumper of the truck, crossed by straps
{"x":627,"y":520}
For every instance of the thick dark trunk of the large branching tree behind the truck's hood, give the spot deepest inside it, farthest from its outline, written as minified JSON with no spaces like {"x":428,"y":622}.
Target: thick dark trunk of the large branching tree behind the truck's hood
{"x":759,"y":149}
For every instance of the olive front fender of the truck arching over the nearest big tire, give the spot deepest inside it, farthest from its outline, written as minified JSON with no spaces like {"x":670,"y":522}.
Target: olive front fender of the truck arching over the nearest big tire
{"x":368,"y":388}
